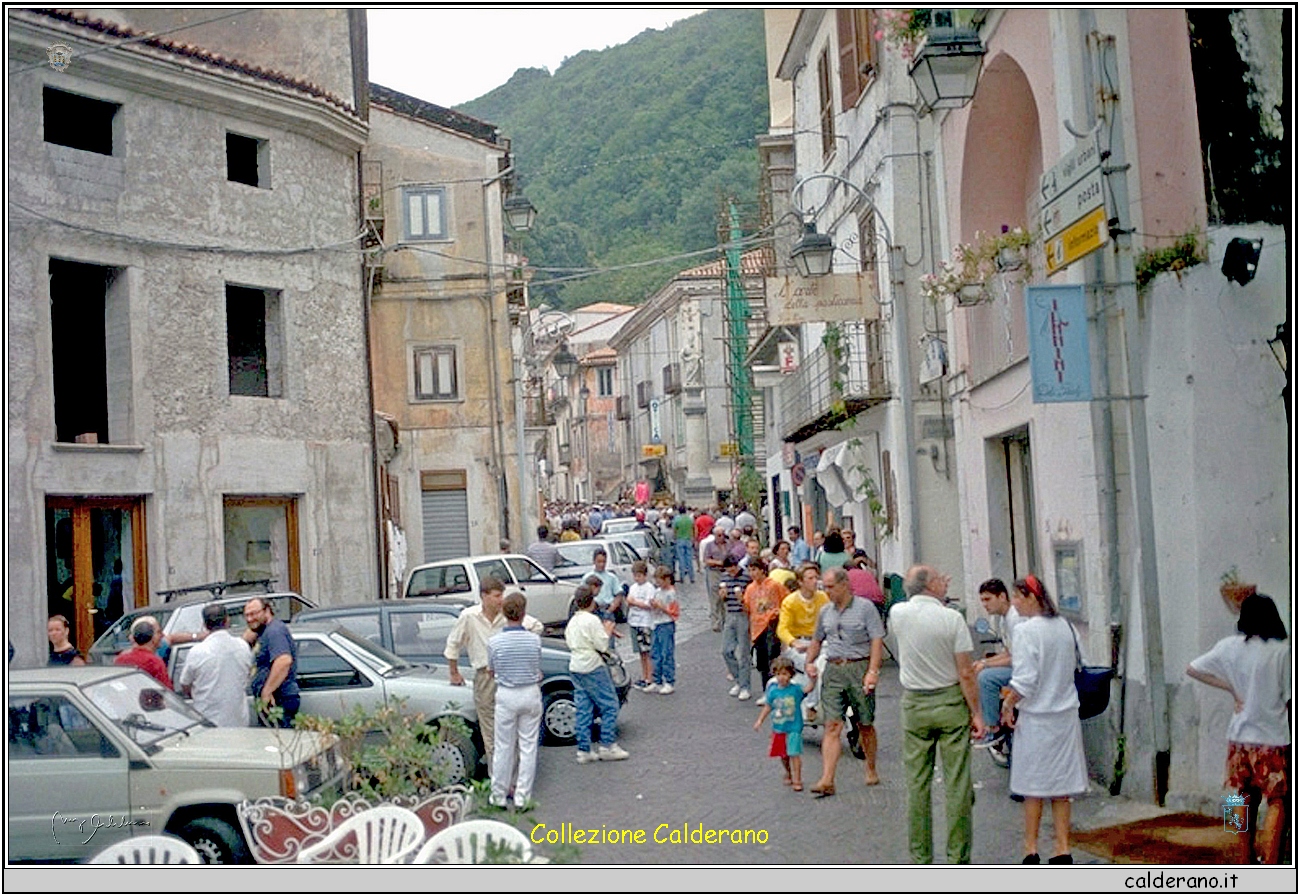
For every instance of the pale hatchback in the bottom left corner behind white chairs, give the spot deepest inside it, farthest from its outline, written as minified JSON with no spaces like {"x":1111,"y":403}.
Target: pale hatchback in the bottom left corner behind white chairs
{"x":102,"y":754}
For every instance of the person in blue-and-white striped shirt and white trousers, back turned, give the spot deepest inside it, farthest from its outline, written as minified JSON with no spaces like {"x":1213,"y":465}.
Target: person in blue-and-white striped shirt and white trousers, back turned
{"x":515,"y":661}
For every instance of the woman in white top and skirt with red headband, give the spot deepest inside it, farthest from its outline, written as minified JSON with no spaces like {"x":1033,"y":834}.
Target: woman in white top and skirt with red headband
{"x":1048,"y":759}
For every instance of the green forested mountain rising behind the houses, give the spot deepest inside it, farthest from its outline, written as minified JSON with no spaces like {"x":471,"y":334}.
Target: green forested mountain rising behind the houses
{"x":629,"y":153}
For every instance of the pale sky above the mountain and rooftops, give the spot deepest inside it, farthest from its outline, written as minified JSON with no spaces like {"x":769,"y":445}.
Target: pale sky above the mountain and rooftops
{"x":454,"y":55}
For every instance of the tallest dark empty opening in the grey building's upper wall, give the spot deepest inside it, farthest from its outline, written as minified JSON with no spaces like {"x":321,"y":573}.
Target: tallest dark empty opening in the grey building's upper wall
{"x":90,"y":352}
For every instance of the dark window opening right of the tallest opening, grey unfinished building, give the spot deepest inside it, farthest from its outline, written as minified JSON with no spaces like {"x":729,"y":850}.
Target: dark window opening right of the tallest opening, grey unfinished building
{"x":254,"y":341}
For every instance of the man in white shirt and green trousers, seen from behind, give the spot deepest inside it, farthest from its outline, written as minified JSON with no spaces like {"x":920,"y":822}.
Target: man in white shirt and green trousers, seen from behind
{"x":941,"y":708}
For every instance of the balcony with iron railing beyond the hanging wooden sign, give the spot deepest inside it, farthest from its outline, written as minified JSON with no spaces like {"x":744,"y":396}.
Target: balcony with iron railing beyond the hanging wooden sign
{"x":825,"y":393}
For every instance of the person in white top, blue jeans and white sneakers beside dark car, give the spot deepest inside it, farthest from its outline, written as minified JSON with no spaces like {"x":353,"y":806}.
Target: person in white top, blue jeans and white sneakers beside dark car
{"x":593,"y":689}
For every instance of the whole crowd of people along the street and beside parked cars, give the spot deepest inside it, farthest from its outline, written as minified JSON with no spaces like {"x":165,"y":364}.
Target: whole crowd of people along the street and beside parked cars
{"x":808,"y":618}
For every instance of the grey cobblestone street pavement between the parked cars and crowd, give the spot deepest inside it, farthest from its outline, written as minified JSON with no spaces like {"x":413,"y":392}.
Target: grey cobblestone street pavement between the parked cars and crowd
{"x":696,"y":760}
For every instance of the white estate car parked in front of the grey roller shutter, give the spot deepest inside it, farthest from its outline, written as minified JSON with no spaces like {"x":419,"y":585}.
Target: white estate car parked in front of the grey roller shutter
{"x":458,"y":581}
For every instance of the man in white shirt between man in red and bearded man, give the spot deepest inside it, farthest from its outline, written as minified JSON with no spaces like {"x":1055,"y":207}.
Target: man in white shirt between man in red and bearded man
{"x":216,"y":673}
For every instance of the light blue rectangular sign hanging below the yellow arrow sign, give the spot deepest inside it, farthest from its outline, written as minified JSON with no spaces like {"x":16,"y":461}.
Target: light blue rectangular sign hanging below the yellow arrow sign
{"x":1058,"y":323}
